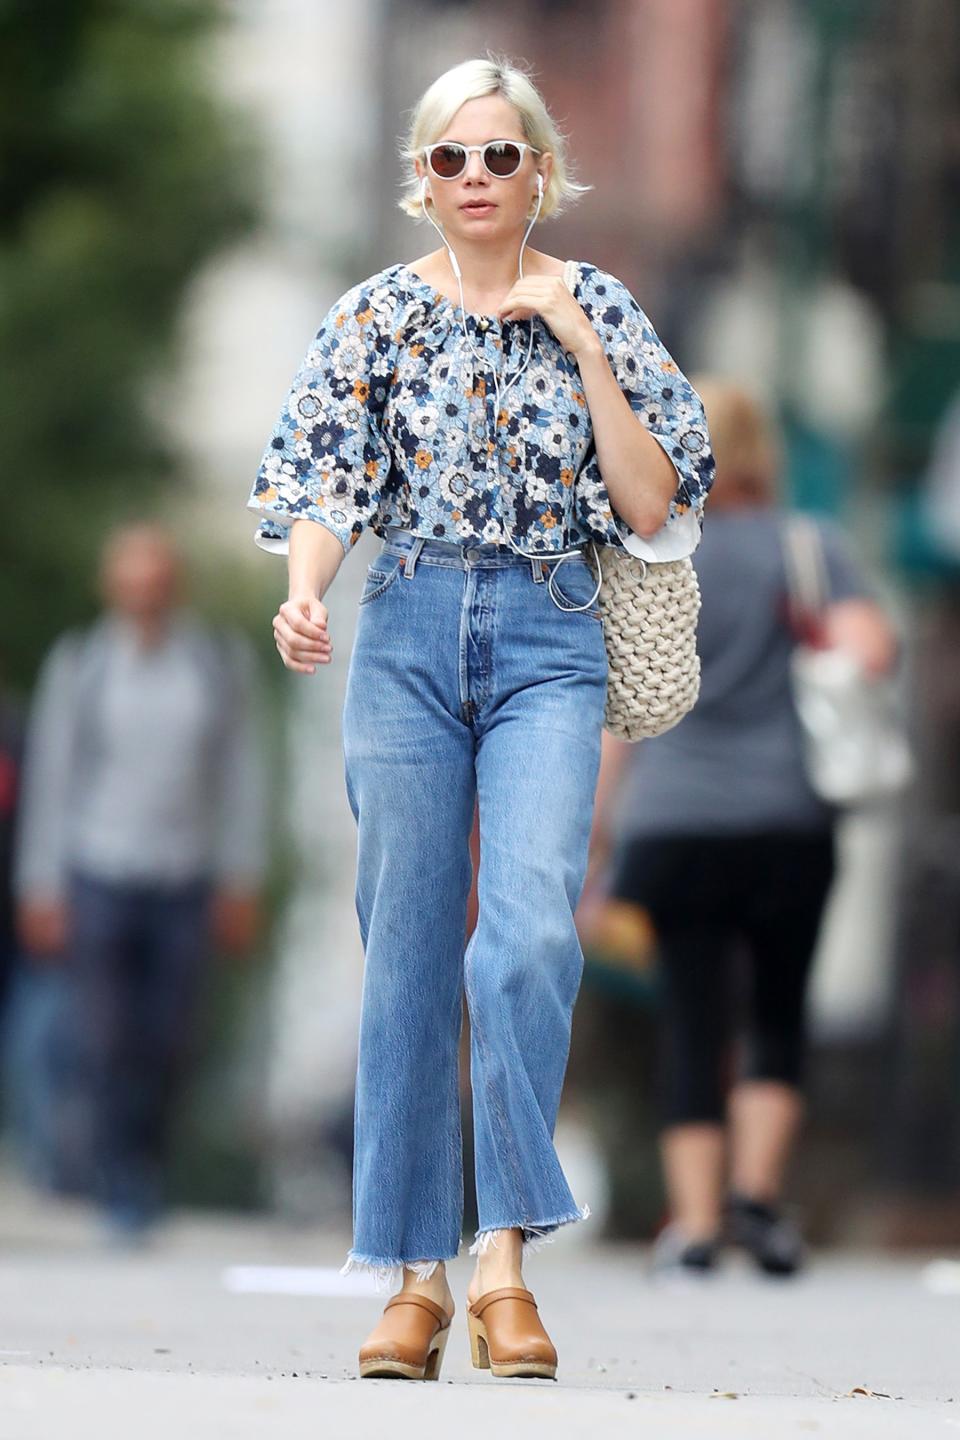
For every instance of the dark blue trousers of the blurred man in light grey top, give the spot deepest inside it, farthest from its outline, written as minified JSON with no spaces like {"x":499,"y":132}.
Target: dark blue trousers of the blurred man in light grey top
{"x":137,"y":960}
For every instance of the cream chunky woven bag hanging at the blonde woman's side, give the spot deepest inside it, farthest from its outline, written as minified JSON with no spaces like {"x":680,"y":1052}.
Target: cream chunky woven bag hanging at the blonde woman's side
{"x":650,"y":627}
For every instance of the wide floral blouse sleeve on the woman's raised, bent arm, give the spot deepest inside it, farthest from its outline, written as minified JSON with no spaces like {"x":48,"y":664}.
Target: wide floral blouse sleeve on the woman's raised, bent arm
{"x":670,"y":408}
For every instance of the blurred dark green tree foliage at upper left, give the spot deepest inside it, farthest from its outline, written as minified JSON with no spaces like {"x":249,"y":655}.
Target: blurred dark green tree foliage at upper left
{"x":123,"y":171}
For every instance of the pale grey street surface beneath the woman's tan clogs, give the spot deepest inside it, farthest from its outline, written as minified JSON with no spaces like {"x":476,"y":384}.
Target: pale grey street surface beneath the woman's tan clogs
{"x":96,"y":1343}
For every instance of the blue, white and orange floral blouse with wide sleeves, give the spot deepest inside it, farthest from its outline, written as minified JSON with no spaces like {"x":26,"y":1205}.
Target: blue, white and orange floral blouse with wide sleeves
{"x":391,"y":421}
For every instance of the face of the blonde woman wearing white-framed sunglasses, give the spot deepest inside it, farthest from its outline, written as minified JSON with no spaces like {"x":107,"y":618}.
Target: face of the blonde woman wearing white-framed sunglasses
{"x":479,"y":207}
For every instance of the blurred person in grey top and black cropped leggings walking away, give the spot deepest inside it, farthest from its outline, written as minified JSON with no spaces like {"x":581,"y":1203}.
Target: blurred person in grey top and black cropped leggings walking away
{"x":723,"y":842}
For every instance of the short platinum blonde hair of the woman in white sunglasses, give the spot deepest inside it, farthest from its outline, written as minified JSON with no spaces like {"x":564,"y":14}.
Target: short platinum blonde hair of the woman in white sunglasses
{"x":474,"y":80}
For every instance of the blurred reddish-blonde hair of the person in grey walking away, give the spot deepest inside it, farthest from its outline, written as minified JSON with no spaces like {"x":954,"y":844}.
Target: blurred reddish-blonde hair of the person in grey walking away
{"x":745,"y":440}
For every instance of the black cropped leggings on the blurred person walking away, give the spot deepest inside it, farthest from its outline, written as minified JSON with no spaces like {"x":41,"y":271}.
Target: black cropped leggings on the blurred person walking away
{"x":715,"y":899}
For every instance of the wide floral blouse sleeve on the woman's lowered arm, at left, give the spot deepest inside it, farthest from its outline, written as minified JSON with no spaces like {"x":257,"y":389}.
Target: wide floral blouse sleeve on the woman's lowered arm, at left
{"x":327,"y":459}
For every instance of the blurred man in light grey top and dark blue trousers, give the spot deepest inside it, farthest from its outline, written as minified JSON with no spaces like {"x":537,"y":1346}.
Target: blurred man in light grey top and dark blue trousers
{"x":140,"y":847}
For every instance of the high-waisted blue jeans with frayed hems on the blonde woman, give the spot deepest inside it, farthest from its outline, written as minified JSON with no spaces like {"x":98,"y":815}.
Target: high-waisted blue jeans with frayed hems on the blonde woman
{"x":468,"y":680}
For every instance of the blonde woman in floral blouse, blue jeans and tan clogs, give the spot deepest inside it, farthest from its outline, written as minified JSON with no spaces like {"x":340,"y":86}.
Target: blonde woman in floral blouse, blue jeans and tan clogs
{"x":489,"y":421}
